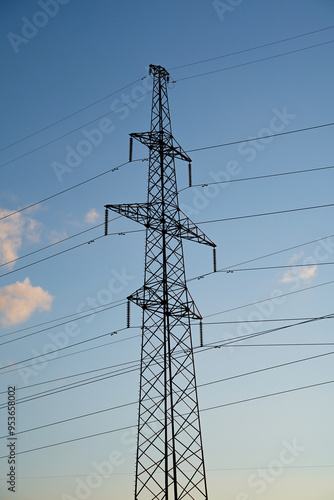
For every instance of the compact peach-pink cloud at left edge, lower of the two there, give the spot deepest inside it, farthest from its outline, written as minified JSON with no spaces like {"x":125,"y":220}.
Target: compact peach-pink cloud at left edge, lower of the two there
{"x":20,"y":300}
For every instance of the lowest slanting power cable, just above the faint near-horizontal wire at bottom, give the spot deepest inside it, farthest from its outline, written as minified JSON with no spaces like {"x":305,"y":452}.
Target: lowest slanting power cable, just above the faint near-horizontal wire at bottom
{"x":310,"y":386}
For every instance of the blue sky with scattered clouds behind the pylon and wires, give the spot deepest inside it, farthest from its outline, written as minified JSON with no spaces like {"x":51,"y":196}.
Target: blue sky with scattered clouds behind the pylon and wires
{"x":78,"y":54}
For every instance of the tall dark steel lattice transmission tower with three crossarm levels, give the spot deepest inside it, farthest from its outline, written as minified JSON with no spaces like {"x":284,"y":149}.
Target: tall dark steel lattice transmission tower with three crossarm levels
{"x":170,"y":462}
